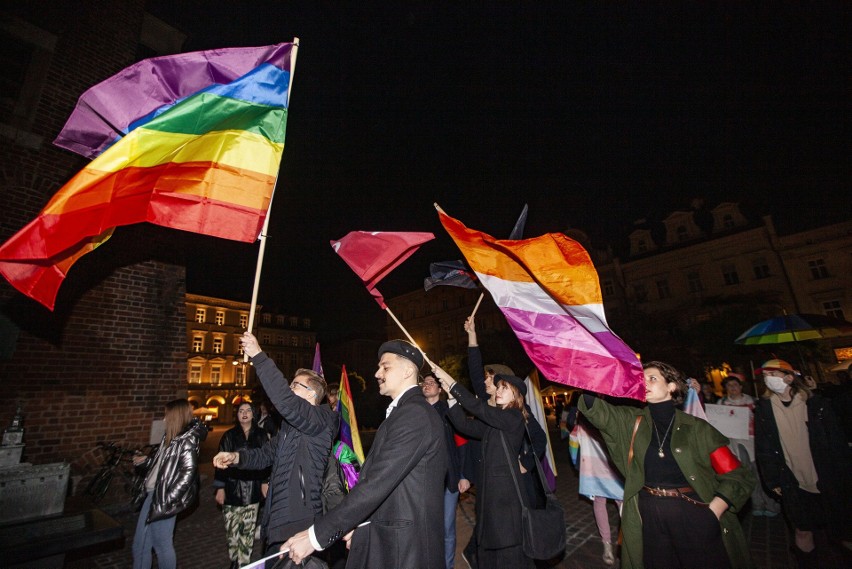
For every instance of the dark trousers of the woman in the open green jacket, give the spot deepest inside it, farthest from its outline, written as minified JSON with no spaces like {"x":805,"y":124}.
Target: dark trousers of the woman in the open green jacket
{"x":677,"y":534}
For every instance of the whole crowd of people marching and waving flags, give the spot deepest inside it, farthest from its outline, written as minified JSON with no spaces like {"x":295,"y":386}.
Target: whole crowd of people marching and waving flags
{"x":679,"y":485}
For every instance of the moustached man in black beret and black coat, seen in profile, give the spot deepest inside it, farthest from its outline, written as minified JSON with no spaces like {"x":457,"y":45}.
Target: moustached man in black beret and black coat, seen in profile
{"x":394,"y":516}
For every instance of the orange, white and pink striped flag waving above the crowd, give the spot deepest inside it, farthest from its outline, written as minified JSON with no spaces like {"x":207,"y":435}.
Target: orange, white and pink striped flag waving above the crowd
{"x":548,"y":290}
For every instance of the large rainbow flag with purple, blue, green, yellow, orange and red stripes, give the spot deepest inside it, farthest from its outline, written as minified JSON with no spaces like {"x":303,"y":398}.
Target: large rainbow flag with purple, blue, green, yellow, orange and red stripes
{"x":204,"y":161}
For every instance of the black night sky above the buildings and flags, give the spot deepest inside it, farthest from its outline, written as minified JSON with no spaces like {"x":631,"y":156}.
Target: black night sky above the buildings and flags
{"x":595,"y":115}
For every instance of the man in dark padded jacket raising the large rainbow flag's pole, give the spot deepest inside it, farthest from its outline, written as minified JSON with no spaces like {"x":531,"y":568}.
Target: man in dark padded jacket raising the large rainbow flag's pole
{"x":297,"y":455}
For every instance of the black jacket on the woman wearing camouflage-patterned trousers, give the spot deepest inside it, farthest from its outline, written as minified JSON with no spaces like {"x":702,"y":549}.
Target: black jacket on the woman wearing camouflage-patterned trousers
{"x":242,"y":487}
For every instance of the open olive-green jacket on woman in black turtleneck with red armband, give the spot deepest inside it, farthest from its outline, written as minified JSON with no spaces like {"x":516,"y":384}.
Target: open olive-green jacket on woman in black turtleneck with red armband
{"x":692,"y":441}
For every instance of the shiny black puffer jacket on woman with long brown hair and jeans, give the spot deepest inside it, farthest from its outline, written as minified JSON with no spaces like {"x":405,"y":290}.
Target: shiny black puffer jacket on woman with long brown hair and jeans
{"x":177,"y":480}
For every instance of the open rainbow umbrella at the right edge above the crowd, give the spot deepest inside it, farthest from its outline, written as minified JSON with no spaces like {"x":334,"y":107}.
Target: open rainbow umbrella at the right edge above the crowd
{"x":794,"y":328}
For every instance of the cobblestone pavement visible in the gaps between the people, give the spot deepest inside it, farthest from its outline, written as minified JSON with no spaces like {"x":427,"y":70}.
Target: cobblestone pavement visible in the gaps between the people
{"x":200,"y":535}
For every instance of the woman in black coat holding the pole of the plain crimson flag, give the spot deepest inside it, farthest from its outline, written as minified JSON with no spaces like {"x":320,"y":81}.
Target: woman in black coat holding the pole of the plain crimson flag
{"x":498,"y":508}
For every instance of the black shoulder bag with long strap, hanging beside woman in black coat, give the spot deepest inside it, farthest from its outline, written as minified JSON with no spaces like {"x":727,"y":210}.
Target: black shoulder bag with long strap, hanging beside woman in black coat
{"x":543,"y":528}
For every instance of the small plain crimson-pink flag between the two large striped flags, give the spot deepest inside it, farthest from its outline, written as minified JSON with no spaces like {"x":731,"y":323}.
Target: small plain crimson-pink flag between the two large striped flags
{"x":374,"y":254}
